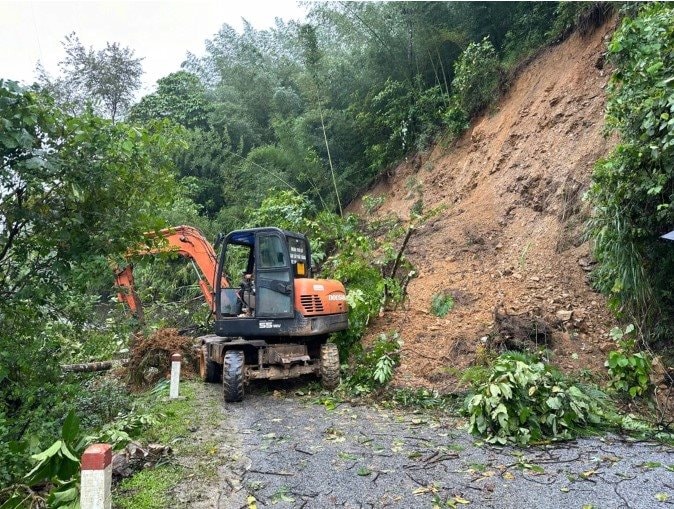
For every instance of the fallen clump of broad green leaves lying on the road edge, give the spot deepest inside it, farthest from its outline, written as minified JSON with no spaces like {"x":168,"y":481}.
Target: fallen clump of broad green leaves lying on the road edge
{"x":526,"y":400}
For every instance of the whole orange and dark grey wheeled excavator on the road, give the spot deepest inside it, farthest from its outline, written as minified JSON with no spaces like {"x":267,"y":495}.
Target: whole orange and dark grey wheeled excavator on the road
{"x":274,"y":325}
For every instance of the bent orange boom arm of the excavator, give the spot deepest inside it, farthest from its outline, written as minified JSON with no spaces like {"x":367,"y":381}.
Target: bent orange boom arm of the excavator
{"x":185,"y":241}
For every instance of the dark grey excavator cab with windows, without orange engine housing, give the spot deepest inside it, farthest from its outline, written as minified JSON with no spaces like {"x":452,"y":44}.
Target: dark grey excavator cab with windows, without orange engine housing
{"x":268,"y":260}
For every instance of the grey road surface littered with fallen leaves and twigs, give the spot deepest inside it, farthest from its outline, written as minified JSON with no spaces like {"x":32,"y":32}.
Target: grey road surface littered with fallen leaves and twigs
{"x":283,"y":450}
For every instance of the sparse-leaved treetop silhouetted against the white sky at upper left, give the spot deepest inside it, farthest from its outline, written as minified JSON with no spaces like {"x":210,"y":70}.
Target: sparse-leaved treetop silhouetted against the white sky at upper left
{"x":107,"y":79}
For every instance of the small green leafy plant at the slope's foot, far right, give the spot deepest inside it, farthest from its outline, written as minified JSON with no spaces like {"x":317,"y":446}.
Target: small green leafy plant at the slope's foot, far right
{"x":629,"y":370}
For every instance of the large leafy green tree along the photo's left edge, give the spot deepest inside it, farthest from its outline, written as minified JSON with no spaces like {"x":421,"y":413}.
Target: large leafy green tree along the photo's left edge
{"x":73,"y":190}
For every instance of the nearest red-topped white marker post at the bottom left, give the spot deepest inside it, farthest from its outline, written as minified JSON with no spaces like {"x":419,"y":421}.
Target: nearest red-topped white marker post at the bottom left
{"x":96,"y":477}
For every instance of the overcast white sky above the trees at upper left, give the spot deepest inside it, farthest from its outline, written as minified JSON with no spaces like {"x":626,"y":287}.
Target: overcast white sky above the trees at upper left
{"x":160,"y":31}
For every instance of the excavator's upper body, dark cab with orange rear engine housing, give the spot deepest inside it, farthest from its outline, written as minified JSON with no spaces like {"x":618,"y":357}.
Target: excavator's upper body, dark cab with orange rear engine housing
{"x":277,"y":298}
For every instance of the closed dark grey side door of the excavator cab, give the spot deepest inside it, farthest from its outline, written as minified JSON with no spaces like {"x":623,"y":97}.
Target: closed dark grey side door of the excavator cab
{"x":273,"y":280}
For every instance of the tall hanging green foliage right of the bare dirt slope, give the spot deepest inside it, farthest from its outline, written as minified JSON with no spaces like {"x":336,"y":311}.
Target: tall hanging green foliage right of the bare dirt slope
{"x":632,"y":189}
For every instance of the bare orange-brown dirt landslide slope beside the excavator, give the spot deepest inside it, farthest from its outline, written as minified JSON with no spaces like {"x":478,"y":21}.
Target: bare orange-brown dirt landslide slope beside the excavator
{"x":510,"y":237}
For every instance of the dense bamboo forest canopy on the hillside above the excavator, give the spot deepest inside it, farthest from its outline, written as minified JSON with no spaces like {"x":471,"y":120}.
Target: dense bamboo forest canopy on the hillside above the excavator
{"x":322,"y":107}
